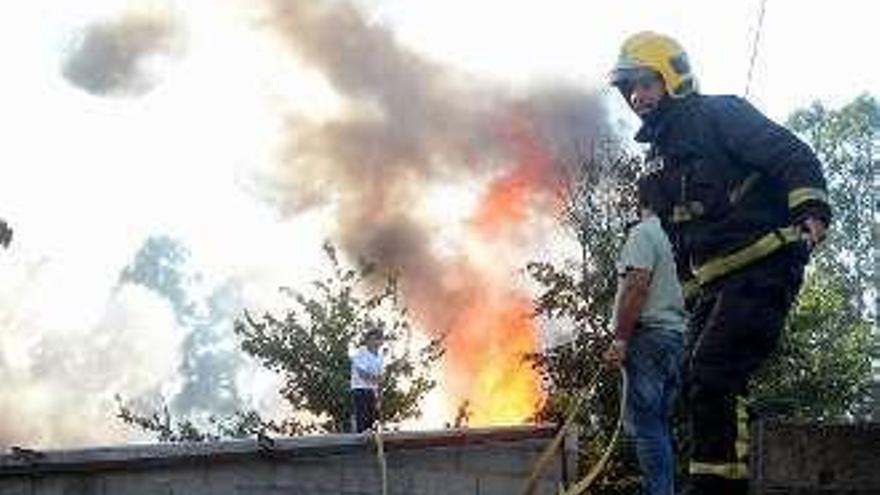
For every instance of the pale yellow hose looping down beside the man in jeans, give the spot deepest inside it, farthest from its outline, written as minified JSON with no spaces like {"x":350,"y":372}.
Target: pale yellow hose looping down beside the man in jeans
{"x":543,"y":461}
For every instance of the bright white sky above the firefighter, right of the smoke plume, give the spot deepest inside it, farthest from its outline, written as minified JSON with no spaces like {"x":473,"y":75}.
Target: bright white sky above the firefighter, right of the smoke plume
{"x":807,"y":50}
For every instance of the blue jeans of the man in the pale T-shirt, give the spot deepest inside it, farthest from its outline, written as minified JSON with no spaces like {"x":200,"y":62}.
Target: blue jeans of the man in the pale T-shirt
{"x":653,"y":366}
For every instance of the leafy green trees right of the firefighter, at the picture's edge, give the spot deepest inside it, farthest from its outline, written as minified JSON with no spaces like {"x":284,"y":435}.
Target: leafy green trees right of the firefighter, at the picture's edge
{"x":824,"y":367}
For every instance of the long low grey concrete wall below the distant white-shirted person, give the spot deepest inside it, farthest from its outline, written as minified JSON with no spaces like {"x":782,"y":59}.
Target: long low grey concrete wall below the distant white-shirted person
{"x":454,"y":462}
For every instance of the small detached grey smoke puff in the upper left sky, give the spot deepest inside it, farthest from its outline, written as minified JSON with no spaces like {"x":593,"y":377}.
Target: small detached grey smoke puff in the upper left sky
{"x":112,"y":58}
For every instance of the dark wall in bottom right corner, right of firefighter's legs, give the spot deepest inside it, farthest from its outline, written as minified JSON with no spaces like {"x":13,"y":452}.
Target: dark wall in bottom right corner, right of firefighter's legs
{"x":792,"y":458}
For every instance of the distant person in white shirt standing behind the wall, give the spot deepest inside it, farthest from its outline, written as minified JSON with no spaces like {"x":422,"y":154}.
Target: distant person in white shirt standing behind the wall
{"x":366,"y":376}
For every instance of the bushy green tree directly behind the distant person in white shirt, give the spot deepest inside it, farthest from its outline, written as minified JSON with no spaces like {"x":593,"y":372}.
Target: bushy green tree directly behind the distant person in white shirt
{"x":309,"y":345}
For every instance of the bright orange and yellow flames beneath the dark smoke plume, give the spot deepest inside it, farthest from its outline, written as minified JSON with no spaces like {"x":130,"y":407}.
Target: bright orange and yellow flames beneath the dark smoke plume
{"x":496,"y":331}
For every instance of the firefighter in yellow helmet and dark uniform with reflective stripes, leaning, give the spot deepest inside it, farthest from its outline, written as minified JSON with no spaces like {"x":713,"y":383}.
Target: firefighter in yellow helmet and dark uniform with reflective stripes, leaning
{"x":743,"y":202}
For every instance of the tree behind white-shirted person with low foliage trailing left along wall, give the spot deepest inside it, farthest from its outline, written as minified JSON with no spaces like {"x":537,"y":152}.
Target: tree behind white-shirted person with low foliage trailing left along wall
{"x":308,"y":344}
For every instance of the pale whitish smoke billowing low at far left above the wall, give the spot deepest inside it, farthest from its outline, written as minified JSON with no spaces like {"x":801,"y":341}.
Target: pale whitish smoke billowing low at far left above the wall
{"x":59,"y":385}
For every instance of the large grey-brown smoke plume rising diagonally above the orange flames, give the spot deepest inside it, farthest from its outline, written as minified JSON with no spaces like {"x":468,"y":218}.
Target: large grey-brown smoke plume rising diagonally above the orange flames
{"x":411,"y":122}
